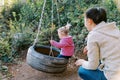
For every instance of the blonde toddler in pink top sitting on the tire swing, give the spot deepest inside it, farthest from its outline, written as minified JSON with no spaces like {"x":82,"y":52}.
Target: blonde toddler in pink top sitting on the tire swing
{"x":66,"y":42}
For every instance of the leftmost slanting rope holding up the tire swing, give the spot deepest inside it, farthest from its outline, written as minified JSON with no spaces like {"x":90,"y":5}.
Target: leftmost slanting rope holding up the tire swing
{"x":40,"y":22}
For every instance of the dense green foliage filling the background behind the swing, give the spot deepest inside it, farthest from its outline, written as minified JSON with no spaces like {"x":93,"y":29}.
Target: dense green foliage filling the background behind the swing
{"x":19,"y":24}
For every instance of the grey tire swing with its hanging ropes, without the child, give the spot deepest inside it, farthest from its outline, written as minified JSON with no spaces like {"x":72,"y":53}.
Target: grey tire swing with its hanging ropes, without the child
{"x":39,"y":57}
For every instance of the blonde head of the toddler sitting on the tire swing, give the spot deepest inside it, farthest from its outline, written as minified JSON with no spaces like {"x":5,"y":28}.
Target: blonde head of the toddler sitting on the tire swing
{"x":63,"y":31}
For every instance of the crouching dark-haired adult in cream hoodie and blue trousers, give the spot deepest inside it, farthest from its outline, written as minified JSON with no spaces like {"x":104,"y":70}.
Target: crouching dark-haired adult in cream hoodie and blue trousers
{"x":103,"y":48}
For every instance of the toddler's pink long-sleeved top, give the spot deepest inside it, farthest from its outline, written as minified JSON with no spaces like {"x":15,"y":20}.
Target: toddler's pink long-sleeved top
{"x":66,"y":44}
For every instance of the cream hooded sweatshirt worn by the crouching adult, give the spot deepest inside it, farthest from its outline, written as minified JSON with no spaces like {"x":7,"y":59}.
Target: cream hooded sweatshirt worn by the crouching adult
{"x":104,"y":45}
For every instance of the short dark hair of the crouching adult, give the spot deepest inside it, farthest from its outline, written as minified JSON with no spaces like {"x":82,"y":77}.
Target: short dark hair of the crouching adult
{"x":97,"y":15}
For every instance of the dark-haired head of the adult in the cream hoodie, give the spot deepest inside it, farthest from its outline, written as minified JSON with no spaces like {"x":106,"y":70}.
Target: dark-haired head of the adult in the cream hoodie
{"x":95,"y":16}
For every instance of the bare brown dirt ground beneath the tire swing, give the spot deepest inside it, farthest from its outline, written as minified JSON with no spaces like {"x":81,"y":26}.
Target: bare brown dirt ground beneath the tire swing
{"x":22,"y":71}
